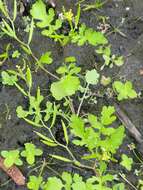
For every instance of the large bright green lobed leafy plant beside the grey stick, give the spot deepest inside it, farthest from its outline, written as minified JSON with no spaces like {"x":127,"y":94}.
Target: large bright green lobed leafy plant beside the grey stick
{"x":91,"y":137}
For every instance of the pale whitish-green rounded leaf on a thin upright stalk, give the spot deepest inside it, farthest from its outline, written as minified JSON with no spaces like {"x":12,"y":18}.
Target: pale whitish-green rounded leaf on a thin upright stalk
{"x":92,"y":77}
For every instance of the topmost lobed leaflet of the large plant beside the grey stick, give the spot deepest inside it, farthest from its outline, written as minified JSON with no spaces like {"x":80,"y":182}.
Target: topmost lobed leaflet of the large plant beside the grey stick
{"x":107,"y":116}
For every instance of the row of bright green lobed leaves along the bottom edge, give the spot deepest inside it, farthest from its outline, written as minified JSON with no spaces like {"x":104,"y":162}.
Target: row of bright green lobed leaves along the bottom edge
{"x":74,"y":182}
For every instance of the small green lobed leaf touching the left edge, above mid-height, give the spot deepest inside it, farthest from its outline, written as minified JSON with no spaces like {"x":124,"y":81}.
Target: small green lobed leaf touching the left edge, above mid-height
{"x":8,"y":79}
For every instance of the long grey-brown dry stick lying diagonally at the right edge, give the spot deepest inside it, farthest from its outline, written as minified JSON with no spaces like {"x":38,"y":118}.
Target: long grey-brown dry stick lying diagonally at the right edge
{"x":129,"y":126}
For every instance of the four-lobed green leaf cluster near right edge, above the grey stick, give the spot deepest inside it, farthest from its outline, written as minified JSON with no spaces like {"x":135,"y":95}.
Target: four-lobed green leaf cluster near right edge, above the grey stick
{"x":125,"y":91}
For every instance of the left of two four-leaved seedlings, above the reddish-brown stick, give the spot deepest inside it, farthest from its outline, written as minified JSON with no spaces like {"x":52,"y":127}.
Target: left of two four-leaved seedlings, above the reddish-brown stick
{"x":11,"y":157}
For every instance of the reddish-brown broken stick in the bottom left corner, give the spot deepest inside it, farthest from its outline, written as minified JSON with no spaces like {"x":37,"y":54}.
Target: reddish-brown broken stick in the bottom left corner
{"x":13,"y":172}
